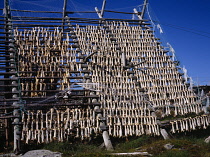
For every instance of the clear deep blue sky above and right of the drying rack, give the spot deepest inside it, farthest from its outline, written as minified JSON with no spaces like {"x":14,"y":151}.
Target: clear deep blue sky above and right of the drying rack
{"x":185,"y":24}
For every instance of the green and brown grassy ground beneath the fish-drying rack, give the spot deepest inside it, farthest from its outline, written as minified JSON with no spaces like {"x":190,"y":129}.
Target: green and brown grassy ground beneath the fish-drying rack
{"x":189,"y":144}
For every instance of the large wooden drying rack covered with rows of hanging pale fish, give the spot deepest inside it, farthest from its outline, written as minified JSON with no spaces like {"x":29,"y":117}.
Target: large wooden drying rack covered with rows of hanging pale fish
{"x":83,"y":76}
